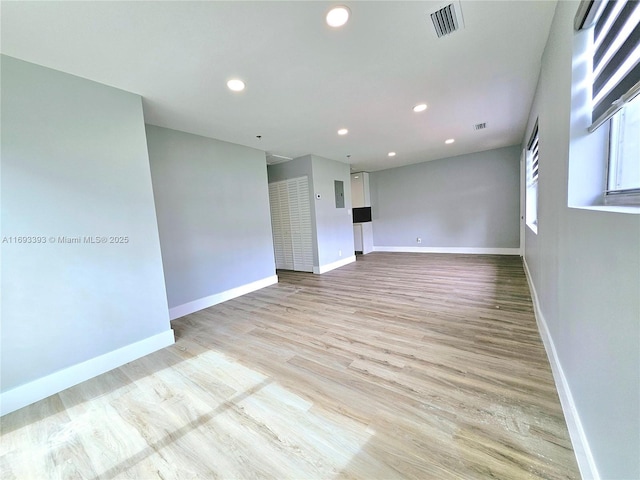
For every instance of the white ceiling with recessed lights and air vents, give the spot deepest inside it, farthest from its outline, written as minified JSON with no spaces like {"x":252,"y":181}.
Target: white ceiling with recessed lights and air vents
{"x":304,"y":79}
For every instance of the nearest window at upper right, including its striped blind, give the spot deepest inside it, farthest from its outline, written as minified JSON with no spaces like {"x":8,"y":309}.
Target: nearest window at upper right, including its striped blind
{"x":615,"y":84}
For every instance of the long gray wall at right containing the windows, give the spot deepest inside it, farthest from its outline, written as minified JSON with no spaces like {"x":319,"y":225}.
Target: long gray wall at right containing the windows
{"x":585,"y":266}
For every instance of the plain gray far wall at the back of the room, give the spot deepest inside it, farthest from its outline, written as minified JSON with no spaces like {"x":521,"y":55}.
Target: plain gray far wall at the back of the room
{"x":467,"y":201}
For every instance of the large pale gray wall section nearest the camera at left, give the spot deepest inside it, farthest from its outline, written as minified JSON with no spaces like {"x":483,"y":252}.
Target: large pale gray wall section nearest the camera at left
{"x":74,"y":163}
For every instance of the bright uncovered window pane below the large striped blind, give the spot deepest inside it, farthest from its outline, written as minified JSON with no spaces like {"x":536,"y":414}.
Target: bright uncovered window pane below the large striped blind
{"x":623,"y":179}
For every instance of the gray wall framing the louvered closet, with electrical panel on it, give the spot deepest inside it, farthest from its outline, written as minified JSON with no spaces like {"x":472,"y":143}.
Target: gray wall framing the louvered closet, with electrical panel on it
{"x":332,"y":227}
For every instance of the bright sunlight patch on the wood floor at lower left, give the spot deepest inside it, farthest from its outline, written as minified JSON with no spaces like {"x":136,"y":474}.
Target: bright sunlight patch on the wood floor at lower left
{"x":206,"y":403}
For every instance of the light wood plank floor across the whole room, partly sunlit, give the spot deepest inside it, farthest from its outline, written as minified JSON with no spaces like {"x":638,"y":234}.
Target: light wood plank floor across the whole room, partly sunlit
{"x":398,"y":366}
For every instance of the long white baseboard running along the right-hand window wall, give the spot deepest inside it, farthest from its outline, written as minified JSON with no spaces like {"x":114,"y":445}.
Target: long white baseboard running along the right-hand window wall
{"x":581,"y":449}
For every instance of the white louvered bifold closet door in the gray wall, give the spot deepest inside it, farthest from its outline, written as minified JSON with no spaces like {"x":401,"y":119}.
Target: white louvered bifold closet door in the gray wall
{"x":291,"y":224}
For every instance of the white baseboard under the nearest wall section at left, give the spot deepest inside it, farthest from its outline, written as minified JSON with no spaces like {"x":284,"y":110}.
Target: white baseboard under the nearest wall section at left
{"x":44,"y":387}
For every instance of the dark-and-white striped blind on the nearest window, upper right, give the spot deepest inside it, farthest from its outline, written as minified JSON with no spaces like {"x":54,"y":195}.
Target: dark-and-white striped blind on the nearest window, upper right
{"x":616,"y":54}
